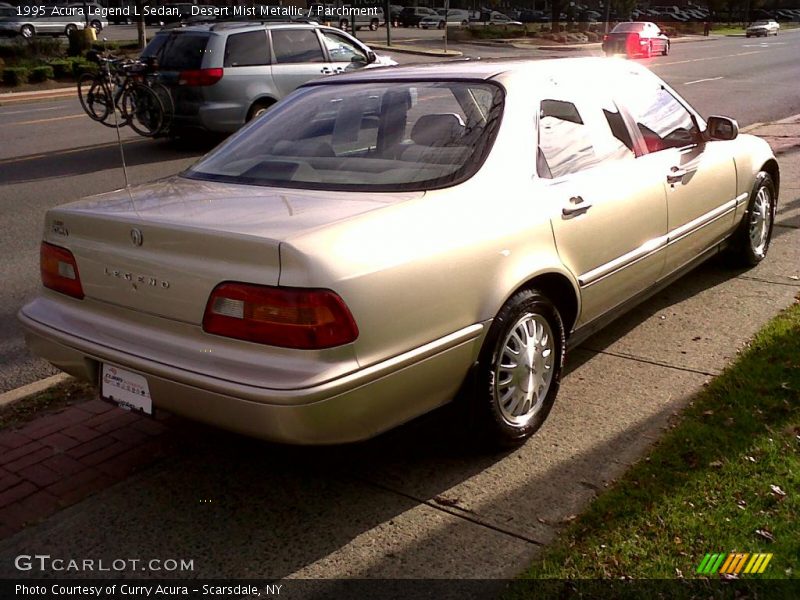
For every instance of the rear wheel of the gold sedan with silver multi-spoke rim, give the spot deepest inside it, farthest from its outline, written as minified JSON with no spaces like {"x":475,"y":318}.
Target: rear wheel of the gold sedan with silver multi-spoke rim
{"x":519,"y":369}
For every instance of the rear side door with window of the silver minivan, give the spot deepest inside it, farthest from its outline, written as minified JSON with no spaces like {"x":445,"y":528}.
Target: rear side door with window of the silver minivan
{"x":297,"y":58}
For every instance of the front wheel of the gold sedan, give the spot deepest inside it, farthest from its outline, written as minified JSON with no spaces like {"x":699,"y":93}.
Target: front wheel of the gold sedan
{"x":750,"y":243}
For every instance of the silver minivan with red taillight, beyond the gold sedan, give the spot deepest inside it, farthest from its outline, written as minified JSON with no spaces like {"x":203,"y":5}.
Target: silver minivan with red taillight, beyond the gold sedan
{"x":224,"y":74}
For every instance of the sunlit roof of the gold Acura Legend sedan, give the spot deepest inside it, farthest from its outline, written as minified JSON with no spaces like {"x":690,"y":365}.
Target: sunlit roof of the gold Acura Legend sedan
{"x":473,"y":70}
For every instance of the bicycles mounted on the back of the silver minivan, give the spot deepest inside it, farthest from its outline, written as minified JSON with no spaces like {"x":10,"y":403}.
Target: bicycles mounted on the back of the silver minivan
{"x":128,"y":90}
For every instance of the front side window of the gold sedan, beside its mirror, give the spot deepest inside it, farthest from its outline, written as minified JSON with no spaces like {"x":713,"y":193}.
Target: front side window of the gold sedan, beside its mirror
{"x":661,"y":119}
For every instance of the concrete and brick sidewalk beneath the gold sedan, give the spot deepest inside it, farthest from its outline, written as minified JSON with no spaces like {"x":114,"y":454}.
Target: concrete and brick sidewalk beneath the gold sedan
{"x":410,"y":504}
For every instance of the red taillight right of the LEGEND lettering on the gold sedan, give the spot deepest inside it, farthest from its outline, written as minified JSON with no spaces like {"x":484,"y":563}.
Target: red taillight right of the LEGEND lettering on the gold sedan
{"x":286,"y":317}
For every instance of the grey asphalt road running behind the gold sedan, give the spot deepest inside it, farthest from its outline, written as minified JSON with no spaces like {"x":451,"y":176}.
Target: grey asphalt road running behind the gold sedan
{"x":51,"y":153}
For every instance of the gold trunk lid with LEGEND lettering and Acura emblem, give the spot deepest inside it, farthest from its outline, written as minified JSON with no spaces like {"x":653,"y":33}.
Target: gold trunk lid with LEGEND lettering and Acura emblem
{"x":164,"y":247}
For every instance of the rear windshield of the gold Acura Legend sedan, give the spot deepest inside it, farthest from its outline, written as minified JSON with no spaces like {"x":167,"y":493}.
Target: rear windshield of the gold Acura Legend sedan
{"x":388,"y":136}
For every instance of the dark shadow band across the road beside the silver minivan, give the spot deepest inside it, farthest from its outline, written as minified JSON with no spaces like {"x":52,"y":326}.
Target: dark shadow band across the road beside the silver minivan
{"x":93,"y":159}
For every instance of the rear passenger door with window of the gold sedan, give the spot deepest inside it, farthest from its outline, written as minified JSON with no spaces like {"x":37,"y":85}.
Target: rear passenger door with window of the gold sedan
{"x":610,"y":220}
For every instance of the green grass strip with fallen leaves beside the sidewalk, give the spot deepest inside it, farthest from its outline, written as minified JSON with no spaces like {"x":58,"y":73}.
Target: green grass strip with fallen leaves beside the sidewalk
{"x":725,"y":478}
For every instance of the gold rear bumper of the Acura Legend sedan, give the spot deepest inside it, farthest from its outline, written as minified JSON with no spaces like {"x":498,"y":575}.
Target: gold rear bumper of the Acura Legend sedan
{"x":350,"y":408}
